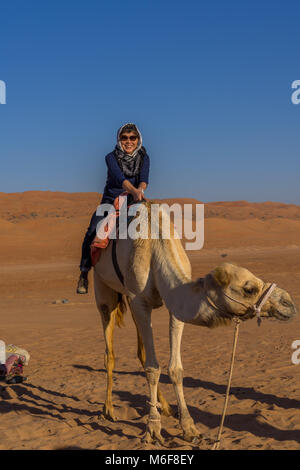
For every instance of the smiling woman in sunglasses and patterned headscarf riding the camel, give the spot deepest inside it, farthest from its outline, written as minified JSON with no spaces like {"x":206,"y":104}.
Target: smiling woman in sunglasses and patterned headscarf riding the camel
{"x":127,"y":170}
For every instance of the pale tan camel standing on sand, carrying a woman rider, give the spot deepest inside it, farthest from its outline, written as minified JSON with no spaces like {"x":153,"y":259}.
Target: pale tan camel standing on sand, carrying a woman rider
{"x":156,"y":272}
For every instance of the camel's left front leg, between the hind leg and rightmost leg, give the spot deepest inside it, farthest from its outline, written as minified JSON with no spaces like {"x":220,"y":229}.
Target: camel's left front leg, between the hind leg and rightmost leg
{"x":142,"y":316}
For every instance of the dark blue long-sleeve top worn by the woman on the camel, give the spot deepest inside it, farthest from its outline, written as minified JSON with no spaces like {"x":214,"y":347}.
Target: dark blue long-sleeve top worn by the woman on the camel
{"x":115,"y":177}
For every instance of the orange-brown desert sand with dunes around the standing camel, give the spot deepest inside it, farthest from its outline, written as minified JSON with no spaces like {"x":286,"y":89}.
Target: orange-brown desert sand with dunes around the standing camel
{"x":60,"y":404}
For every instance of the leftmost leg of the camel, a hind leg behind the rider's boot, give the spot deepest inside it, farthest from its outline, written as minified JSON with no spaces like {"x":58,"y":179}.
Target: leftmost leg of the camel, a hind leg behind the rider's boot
{"x":107,"y":303}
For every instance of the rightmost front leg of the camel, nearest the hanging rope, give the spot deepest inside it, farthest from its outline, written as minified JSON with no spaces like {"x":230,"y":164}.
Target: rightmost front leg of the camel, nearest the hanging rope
{"x":190,"y":432}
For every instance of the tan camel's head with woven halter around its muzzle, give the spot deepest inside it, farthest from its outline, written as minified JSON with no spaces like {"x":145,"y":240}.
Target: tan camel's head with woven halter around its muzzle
{"x":235,"y":290}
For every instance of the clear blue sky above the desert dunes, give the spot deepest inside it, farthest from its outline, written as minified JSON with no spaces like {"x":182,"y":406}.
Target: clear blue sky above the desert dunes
{"x":208,"y":84}
